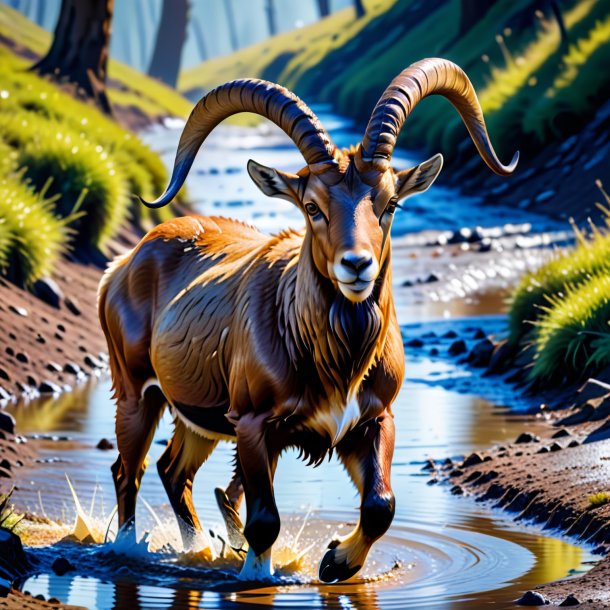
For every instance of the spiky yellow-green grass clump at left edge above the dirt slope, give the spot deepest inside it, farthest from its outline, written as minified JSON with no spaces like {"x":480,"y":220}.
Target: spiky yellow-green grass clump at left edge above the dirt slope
{"x":32,"y":237}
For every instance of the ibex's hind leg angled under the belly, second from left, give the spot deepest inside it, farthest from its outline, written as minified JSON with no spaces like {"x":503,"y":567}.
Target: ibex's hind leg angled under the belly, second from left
{"x":182,"y":458}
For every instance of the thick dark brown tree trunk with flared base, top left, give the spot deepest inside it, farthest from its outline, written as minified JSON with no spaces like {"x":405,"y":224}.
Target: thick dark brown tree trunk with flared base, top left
{"x":79,"y":51}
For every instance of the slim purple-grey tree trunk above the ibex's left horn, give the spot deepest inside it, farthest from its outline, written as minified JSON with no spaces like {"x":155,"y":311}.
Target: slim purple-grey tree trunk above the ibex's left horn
{"x":171,"y":35}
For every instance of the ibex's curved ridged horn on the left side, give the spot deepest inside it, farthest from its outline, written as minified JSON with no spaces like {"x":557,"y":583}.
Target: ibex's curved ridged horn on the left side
{"x":267,"y":99}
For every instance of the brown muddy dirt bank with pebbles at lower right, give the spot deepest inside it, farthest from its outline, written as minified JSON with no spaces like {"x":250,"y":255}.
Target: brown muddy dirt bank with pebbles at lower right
{"x":558,"y":480}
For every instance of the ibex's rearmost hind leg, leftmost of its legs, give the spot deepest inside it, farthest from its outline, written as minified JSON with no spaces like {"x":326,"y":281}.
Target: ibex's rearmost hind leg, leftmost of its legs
{"x":137,"y":417}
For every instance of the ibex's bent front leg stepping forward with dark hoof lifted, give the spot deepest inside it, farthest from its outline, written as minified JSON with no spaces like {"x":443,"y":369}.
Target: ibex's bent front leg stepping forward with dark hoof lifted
{"x":367,"y":454}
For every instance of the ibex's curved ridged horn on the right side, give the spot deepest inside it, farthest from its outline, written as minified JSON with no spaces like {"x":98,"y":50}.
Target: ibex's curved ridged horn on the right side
{"x":427,"y":77}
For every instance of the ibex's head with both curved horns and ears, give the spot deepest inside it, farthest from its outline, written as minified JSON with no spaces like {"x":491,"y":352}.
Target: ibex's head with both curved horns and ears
{"x":348,"y":198}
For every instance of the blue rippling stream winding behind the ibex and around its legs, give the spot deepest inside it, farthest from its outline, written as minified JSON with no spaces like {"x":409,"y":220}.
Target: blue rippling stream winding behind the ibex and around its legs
{"x":442,"y":551}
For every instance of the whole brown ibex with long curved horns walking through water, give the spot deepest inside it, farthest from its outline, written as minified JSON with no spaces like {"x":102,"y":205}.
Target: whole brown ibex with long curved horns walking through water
{"x":273,"y":342}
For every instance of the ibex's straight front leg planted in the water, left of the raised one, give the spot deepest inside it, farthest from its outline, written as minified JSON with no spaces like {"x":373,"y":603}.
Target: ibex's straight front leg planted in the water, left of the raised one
{"x":258,"y":462}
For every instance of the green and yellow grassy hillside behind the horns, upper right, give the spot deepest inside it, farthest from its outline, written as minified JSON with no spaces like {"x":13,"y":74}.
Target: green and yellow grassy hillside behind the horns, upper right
{"x":532,"y":88}
